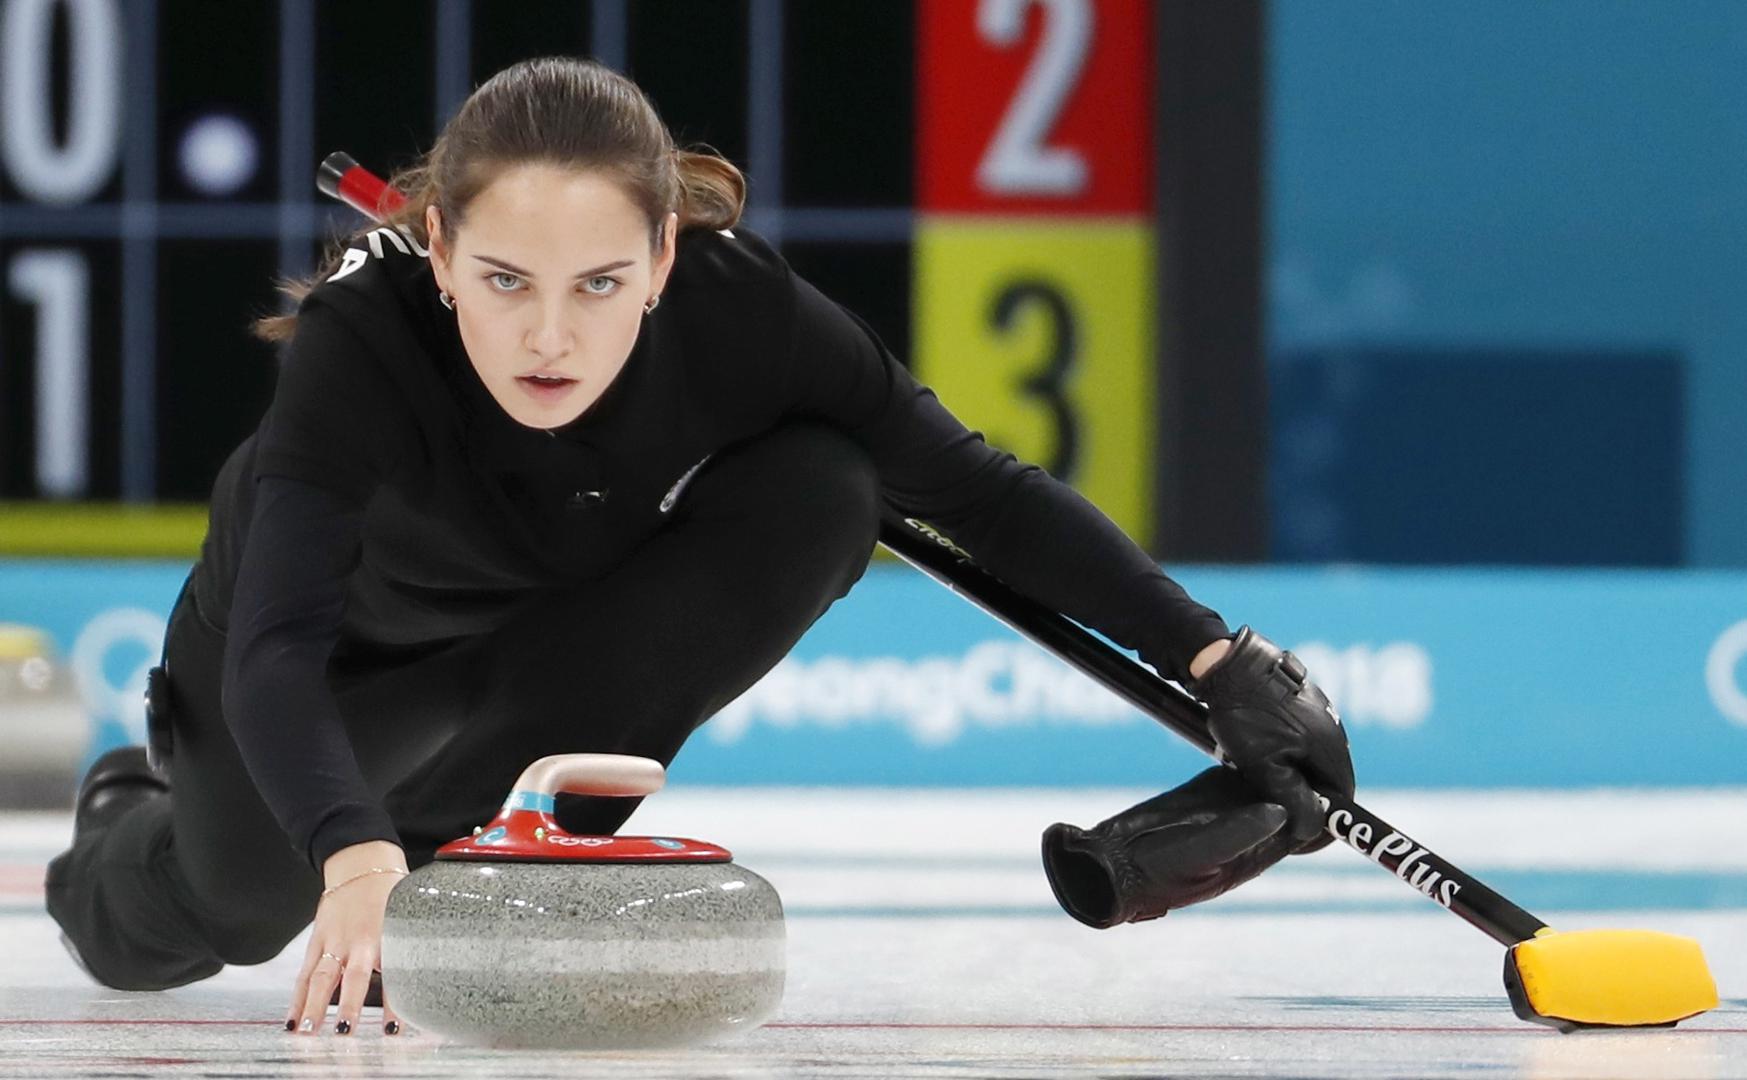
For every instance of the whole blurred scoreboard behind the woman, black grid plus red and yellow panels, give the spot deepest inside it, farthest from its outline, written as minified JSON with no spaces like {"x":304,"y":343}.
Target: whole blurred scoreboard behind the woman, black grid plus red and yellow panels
{"x":974,"y":177}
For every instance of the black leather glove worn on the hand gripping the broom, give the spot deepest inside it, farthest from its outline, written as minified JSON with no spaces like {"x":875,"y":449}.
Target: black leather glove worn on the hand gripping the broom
{"x":1280,"y":730}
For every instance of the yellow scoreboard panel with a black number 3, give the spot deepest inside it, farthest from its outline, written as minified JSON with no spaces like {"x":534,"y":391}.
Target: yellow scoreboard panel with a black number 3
{"x":1039,"y":333}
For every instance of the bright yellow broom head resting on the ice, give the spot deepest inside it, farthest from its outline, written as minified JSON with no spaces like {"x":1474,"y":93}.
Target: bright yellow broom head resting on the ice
{"x":1608,"y":980}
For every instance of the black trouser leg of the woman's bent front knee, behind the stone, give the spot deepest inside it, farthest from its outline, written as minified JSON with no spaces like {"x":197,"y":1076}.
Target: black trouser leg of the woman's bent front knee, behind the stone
{"x":773,"y":532}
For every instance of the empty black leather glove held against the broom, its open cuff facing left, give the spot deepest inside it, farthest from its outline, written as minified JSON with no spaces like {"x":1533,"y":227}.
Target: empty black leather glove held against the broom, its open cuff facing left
{"x":1180,"y":848}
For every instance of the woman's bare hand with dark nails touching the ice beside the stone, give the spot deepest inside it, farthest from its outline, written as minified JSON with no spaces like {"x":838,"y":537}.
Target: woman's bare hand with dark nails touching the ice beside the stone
{"x":345,"y":948}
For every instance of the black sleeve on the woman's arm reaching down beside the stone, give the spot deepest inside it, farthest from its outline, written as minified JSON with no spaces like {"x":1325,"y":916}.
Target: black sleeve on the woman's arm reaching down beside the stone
{"x":326,"y":445}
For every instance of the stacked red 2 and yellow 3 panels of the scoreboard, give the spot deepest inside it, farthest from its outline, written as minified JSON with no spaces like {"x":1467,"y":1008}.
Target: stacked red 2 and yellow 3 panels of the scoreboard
{"x":1033,"y":244}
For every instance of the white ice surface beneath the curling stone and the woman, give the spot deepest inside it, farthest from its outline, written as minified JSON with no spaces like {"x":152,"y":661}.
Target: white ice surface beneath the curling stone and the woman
{"x":925,"y":943}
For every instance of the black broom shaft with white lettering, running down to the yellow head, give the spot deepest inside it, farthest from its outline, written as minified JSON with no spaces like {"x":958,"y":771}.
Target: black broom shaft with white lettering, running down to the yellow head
{"x":1350,"y":822}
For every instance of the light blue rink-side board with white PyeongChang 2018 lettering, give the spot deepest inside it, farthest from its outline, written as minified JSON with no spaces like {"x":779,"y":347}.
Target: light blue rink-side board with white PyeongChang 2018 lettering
{"x":1444,"y":679}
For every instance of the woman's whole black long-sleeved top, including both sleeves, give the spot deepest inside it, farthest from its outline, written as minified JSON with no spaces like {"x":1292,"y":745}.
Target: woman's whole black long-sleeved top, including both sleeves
{"x":392,"y":501}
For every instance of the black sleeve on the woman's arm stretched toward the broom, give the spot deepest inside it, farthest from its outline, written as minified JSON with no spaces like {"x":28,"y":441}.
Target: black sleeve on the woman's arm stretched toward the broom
{"x":1016,"y":520}
